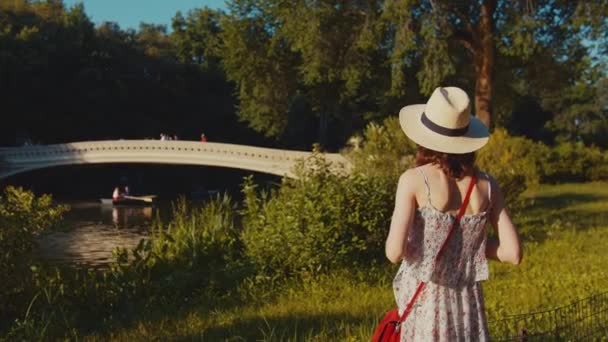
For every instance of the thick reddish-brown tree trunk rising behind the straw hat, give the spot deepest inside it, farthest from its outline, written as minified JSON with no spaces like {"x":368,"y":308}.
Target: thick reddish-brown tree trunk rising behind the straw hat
{"x":484,"y":63}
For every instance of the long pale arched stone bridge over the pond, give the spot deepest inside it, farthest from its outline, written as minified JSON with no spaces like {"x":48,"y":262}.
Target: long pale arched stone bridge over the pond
{"x":15,"y":160}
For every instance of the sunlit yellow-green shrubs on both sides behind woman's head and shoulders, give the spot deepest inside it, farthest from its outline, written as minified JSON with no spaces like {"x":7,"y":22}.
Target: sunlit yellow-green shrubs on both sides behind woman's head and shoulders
{"x":518,"y":163}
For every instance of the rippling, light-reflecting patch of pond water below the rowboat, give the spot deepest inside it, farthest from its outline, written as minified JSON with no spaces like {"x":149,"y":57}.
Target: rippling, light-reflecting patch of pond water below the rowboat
{"x":94,"y":231}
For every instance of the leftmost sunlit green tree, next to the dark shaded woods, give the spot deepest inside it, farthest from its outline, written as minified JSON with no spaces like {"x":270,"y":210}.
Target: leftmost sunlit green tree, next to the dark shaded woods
{"x":261,"y":65}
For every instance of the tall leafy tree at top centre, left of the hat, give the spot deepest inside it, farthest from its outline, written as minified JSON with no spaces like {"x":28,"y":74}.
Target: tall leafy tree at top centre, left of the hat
{"x":336,"y":42}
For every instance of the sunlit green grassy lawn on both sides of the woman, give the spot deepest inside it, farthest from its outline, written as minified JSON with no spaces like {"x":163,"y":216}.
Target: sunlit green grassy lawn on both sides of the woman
{"x":564,"y":229}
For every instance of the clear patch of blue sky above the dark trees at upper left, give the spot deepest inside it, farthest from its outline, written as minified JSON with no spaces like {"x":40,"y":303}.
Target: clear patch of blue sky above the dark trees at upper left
{"x":129,"y":13}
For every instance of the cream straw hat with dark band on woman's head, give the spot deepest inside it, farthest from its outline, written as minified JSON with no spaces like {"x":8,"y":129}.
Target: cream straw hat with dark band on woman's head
{"x":444,"y":123}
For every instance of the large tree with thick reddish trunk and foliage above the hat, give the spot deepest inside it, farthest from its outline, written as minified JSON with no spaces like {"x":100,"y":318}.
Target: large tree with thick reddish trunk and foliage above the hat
{"x":516,"y":35}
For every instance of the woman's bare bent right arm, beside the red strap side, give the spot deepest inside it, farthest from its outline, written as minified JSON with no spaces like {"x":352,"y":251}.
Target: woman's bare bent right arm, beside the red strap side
{"x":507,"y":248}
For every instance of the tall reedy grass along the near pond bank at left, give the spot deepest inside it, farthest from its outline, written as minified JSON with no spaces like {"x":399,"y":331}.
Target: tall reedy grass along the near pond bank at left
{"x":196,"y":254}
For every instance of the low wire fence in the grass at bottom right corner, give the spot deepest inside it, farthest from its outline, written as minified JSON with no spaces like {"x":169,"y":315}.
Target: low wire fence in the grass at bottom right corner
{"x":583,"y":320}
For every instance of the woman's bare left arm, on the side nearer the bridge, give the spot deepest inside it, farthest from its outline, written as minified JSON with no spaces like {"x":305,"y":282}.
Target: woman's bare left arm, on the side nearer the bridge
{"x":405,"y":203}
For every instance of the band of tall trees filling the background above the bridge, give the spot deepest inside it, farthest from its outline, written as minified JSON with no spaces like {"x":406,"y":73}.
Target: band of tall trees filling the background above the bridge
{"x":312,"y":71}
